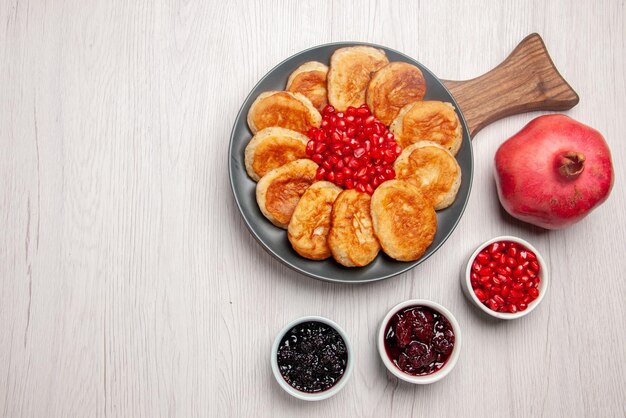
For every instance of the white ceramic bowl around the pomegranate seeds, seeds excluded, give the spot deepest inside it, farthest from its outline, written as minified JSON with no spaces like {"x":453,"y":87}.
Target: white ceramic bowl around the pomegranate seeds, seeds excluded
{"x":543,"y":283}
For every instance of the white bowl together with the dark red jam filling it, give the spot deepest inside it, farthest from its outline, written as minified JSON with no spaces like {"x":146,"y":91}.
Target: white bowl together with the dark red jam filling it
{"x":419,"y":341}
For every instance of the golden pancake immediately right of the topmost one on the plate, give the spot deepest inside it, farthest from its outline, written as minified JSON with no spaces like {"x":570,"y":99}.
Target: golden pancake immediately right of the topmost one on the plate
{"x":393,"y":87}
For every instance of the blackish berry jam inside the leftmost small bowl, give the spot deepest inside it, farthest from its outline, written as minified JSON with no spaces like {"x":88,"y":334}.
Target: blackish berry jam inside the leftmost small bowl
{"x":312,"y":357}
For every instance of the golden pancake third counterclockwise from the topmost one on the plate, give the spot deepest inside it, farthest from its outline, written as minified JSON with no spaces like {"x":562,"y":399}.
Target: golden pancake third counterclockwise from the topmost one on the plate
{"x":272,"y":148}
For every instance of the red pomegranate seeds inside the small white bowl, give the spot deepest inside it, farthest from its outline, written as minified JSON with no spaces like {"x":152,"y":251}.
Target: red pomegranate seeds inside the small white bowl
{"x":505,"y":277}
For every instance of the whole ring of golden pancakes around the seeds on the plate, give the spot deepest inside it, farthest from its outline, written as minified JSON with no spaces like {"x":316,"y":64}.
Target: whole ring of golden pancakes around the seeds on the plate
{"x":324,"y":220}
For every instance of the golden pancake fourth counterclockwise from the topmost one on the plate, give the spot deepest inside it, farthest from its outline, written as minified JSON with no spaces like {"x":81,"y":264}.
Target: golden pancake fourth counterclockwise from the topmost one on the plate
{"x":279,"y":191}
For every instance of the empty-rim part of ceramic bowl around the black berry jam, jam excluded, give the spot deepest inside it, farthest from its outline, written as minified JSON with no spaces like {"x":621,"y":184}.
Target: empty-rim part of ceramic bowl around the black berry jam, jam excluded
{"x":320,"y":395}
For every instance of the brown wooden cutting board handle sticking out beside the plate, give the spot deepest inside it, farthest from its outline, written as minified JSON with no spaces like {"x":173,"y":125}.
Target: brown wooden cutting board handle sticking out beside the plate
{"x":526,"y":80}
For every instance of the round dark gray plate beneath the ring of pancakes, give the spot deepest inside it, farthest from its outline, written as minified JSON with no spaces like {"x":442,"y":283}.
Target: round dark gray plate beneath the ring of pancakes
{"x":274,"y":239}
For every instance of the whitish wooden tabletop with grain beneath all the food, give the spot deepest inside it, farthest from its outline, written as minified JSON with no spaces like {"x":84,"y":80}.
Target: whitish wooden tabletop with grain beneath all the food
{"x":130,"y":287}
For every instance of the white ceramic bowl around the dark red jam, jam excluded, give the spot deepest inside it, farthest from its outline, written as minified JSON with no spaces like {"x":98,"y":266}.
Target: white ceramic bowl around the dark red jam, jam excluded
{"x":447,"y":367}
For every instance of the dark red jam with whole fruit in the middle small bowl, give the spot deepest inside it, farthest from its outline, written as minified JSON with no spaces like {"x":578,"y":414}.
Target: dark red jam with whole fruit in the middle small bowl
{"x":419,"y":340}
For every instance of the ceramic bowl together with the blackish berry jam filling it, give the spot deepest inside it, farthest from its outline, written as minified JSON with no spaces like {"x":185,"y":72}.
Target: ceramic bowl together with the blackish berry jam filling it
{"x":312,"y":358}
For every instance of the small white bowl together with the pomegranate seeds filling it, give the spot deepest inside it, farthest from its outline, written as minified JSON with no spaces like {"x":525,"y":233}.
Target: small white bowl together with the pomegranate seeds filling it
{"x":506,"y":277}
